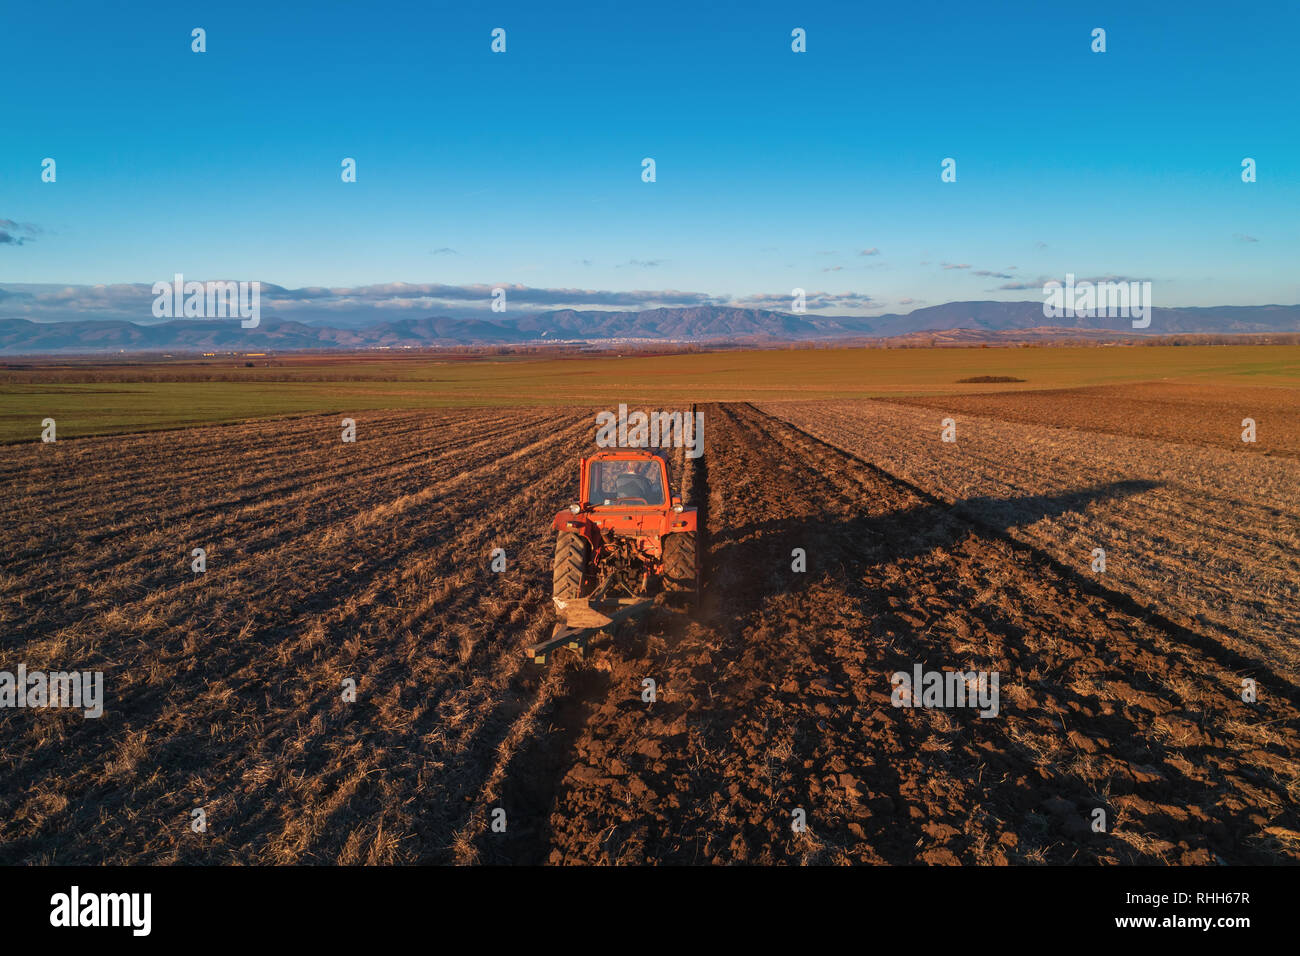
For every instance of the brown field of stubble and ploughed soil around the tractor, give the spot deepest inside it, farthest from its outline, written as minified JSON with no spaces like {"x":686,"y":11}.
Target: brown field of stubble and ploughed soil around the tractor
{"x":371,"y":561}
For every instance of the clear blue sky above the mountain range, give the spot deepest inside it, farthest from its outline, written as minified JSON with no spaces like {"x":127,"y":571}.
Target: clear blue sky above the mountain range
{"x":775,"y":170}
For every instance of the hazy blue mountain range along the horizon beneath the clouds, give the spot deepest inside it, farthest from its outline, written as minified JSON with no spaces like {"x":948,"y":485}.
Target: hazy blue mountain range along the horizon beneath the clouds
{"x":705,"y":325}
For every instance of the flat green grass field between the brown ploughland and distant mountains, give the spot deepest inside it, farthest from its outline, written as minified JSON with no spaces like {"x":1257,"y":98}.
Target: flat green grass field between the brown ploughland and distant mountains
{"x":125,"y":399}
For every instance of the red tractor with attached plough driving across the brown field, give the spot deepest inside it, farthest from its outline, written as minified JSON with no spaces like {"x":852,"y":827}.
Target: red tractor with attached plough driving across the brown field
{"x":623,"y":542}
